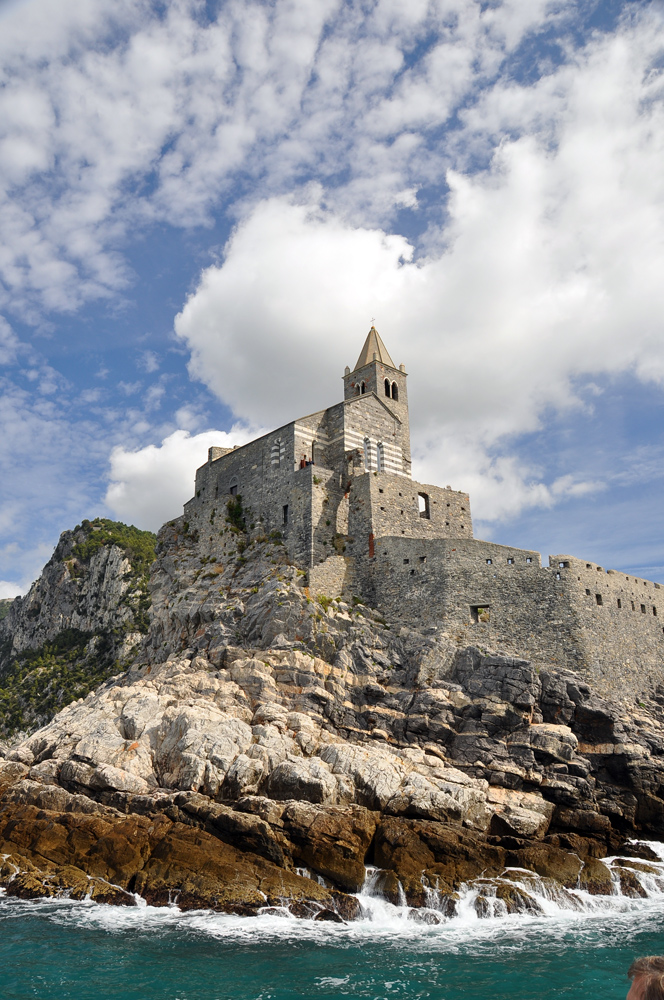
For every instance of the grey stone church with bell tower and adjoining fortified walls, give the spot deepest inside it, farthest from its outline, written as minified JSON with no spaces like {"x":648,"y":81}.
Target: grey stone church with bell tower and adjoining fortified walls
{"x":337,"y":487}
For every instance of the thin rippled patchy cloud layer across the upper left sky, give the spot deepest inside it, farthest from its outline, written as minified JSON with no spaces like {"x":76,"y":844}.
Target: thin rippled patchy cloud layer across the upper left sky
{"x":120,"y":114}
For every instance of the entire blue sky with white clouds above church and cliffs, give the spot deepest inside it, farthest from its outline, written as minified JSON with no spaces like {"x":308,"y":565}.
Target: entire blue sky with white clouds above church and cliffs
{"x":204,"y":205}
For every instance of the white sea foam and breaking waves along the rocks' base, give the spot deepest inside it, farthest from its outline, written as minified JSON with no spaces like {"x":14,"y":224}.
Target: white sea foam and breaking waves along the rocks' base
{"x":569,"y":916}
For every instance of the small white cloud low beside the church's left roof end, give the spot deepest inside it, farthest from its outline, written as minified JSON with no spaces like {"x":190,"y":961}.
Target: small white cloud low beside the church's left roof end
{"x":150,"y":485}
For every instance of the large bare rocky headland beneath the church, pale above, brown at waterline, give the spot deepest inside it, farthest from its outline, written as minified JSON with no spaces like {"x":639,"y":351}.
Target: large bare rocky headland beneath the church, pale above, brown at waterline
{"x":263,"y":747}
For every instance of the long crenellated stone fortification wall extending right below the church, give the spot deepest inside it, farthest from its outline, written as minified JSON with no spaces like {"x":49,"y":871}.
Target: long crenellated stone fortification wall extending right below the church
{"x":498,"y":597}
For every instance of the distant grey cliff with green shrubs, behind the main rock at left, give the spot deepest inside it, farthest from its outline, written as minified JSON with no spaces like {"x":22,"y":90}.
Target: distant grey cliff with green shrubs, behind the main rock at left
{"x":79,"y":622}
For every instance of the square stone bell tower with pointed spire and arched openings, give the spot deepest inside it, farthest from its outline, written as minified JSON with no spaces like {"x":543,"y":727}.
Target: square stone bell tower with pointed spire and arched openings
{"x":376,"y":373}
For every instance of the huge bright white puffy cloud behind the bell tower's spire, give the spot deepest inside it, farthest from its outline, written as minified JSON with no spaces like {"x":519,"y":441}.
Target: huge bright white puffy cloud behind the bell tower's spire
{"x":551,"y":269}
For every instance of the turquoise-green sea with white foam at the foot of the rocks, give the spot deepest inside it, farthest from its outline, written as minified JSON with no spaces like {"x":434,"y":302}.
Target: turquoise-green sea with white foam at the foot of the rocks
{"x":577,"y":946}
